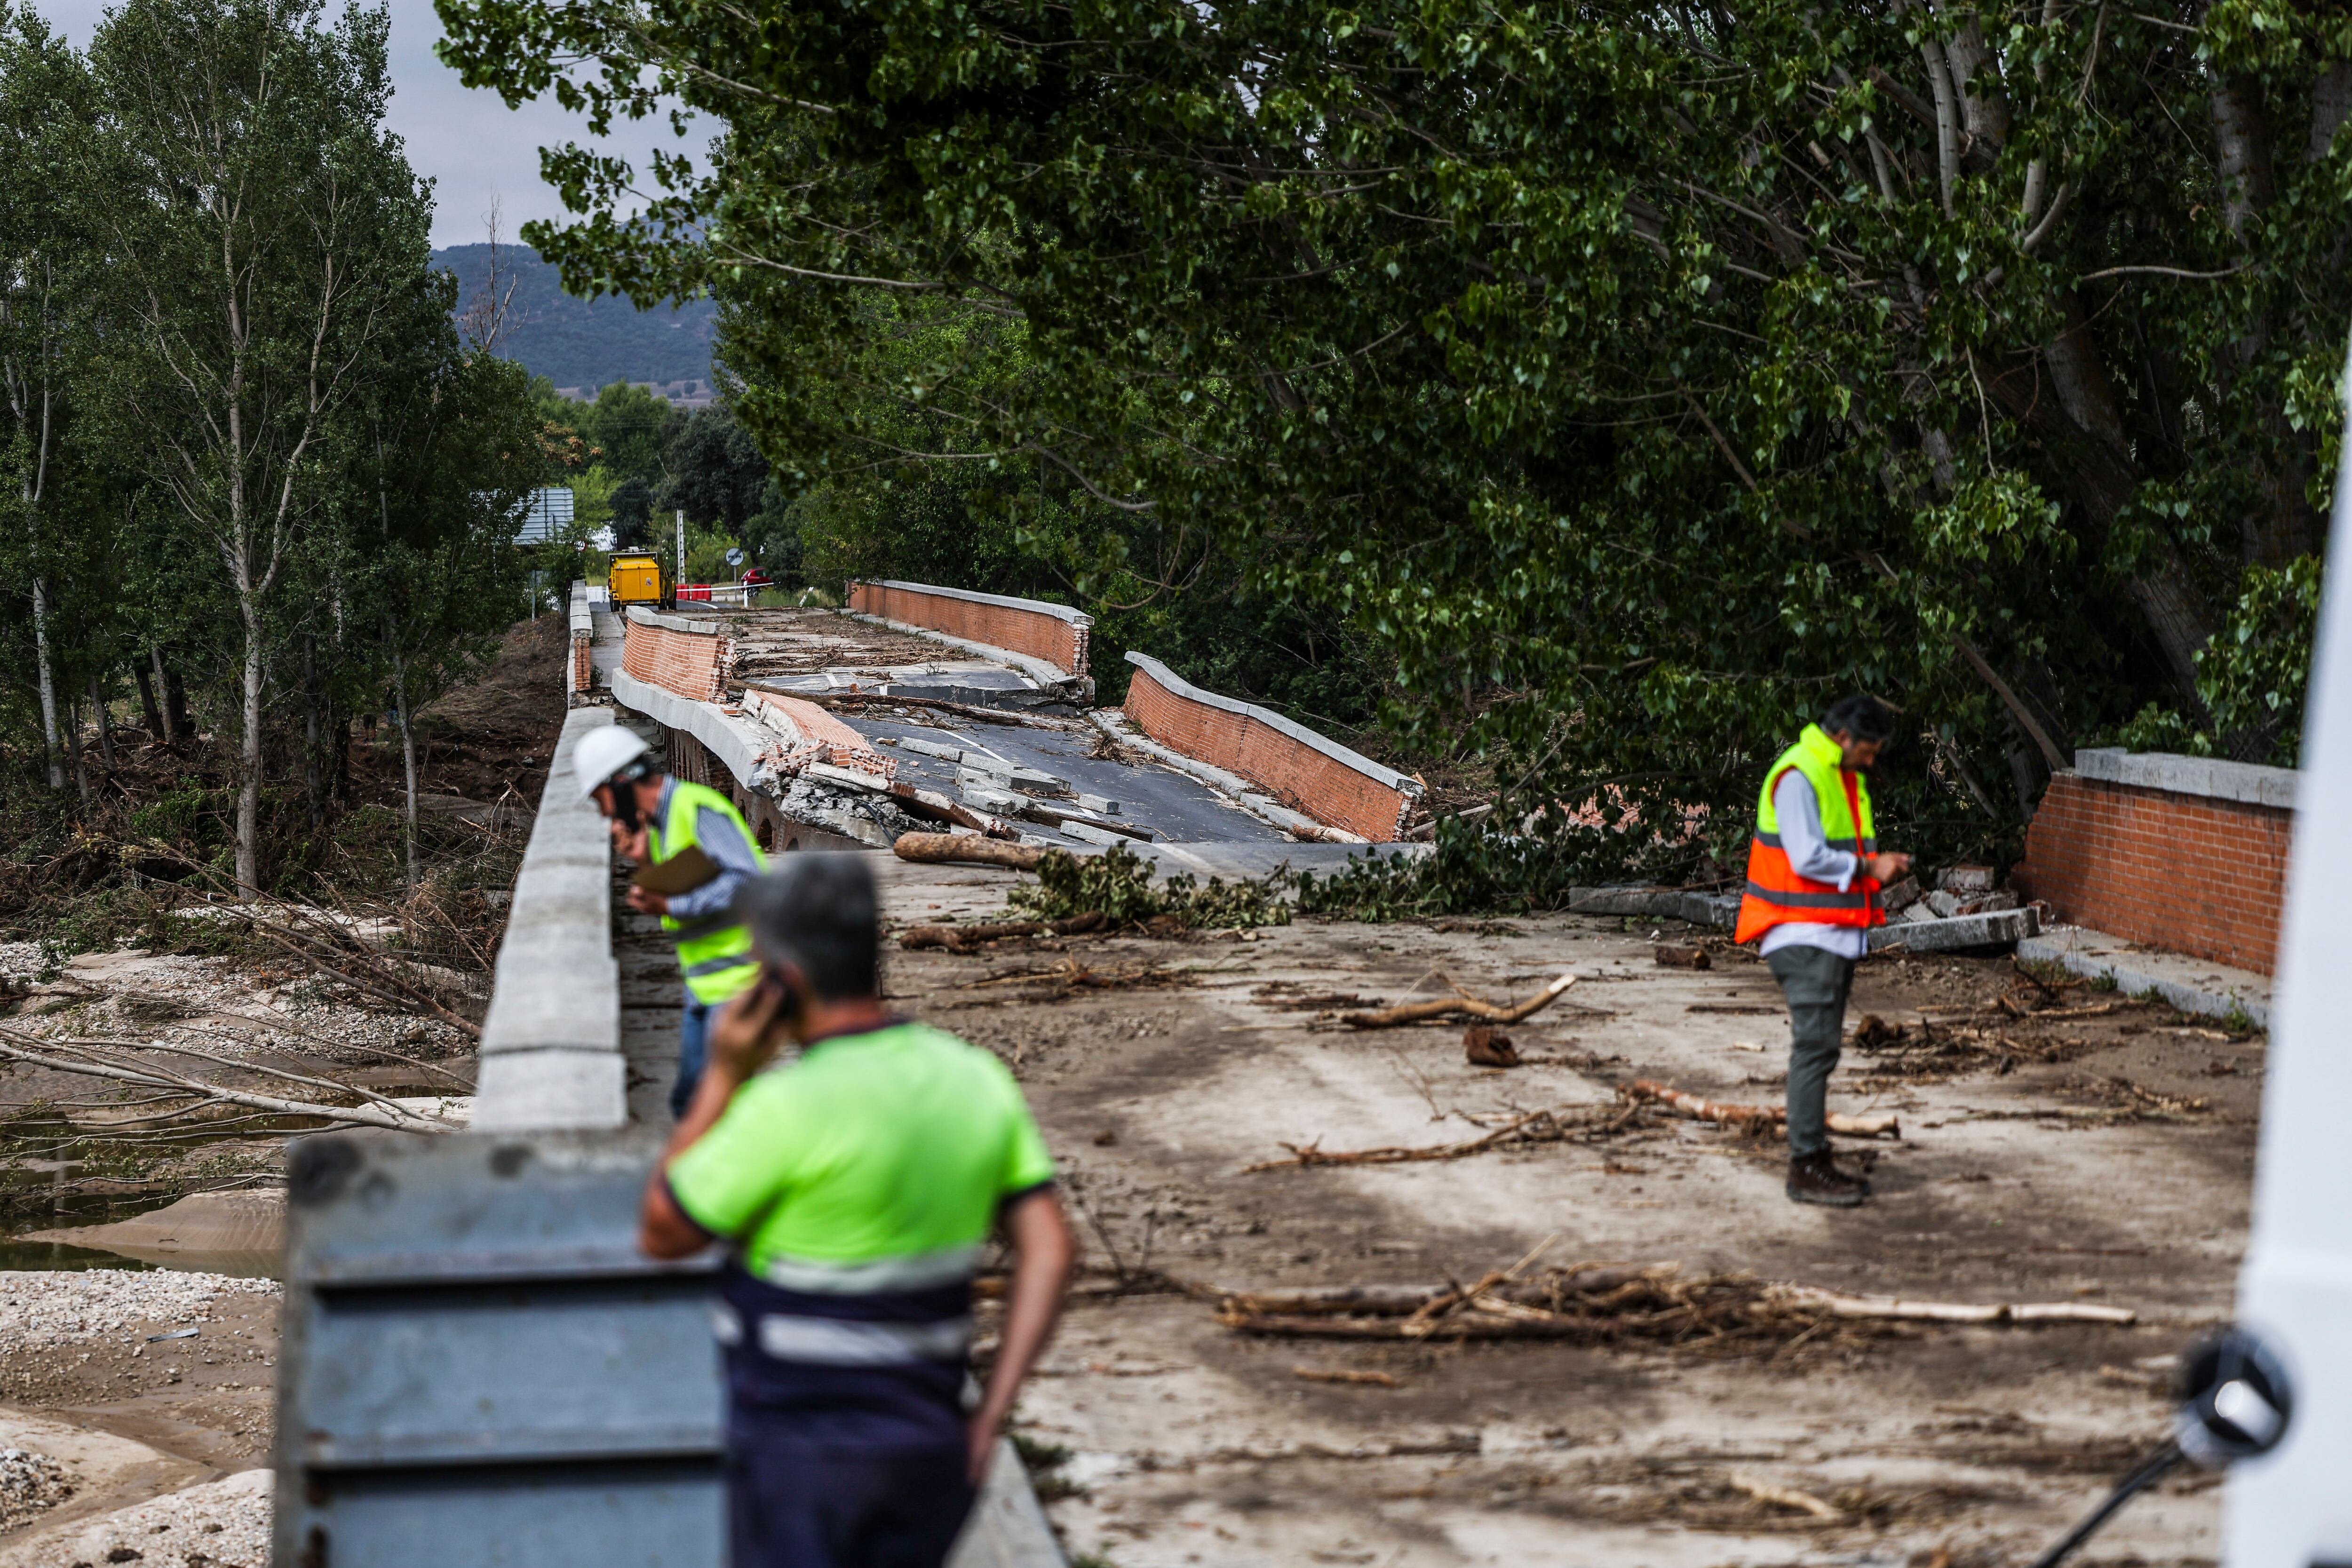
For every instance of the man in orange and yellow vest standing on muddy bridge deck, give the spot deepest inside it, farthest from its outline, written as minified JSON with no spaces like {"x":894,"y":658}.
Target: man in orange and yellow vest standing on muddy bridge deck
{"x":1815,"y":876}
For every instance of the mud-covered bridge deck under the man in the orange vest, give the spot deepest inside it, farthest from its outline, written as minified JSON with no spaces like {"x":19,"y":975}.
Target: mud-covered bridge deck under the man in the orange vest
{"x":2116,"y":1174}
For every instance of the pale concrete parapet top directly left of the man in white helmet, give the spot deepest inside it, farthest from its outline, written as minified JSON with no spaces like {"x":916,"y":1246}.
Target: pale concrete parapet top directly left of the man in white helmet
{"x":552,"y":1043}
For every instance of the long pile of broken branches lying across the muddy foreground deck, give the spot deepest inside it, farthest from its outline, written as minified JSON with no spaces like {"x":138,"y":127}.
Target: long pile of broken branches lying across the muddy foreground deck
{"x":1617,"y":1306}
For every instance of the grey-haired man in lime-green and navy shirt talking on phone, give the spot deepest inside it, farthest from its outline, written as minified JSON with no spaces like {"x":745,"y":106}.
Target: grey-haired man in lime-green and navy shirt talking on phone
{"x":857,"y":1191}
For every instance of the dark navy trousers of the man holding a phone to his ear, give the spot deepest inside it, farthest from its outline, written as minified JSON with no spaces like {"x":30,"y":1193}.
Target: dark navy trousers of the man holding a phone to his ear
{"x":801,"y":1506}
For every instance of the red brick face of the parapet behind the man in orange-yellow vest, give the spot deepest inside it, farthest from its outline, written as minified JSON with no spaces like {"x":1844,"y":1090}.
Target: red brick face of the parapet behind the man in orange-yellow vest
{"x":2186,"y":873}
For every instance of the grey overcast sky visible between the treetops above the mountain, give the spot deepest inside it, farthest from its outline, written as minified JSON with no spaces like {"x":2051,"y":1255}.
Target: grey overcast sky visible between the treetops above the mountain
{"x":469,"y":145}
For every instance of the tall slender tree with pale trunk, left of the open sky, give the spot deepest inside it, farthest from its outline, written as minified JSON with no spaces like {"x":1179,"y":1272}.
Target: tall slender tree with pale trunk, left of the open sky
{"x":265,"y":234}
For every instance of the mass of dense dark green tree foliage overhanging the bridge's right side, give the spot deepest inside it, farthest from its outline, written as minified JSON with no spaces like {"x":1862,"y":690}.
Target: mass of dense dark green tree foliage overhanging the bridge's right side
{"x":1636,"y":377}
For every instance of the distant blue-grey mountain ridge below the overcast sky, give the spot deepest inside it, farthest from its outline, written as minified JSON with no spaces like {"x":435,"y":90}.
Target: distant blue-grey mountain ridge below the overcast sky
{"x":589,"y":342}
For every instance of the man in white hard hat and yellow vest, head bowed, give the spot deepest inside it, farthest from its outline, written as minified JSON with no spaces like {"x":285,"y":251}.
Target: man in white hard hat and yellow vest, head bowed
{"x":660,"y":819}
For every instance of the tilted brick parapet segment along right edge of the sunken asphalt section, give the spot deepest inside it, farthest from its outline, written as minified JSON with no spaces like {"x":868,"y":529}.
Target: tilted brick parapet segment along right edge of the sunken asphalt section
{"x":1311,"y":779}
